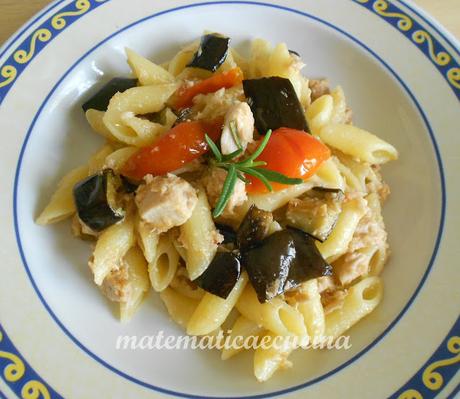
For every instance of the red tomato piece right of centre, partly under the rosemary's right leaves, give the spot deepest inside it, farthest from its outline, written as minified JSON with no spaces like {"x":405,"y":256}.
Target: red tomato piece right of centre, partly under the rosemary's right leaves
{"x":291,"y":152}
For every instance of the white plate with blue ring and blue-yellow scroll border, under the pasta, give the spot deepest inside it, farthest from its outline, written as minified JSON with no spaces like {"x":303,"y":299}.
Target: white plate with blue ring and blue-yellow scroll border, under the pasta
{"x":400,"y":72}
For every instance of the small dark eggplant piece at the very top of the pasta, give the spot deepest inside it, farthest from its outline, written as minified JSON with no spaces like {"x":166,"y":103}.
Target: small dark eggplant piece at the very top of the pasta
{"x":212,"y":52}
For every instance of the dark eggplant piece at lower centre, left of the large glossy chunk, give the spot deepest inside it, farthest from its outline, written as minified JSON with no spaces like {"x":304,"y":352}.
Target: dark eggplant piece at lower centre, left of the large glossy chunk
{"x":221,"y":275}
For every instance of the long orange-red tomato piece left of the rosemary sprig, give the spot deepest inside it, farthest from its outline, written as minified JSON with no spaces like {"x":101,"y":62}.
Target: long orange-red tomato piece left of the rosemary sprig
{"x":179,"y":146}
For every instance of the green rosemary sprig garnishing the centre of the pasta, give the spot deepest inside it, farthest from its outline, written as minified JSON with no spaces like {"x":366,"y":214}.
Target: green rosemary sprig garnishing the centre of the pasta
{"x":238,"y":170}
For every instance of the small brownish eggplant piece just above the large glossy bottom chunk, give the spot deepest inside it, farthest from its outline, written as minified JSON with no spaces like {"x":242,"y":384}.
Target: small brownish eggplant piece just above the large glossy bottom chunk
{"x":254,"y":228}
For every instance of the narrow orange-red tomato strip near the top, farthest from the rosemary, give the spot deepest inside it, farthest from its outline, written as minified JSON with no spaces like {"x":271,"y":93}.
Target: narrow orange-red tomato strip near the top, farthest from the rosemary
{"x":226,"y":79}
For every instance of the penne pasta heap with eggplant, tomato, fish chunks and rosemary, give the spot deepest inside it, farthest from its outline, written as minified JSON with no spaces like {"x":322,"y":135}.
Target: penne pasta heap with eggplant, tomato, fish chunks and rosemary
{"x":239,"y":190}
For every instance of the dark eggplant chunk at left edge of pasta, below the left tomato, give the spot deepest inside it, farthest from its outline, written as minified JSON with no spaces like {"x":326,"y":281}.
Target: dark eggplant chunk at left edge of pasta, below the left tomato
{"x":96,"y":200}
